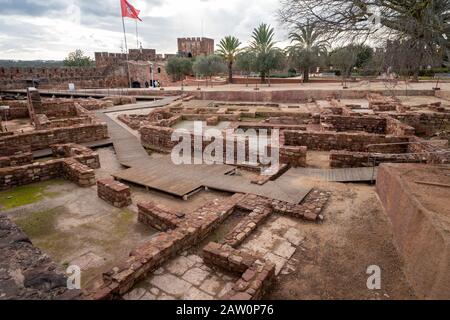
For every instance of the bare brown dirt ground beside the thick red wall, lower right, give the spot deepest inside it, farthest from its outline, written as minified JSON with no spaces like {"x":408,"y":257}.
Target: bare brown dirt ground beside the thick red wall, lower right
{"x":333,"y":258}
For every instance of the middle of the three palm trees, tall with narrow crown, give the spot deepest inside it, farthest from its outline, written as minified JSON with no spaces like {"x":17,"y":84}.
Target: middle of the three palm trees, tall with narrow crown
{"x":262,"y":44}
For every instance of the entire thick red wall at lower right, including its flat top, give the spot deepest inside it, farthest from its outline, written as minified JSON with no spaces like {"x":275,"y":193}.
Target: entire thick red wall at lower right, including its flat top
{"x":420,"y":231}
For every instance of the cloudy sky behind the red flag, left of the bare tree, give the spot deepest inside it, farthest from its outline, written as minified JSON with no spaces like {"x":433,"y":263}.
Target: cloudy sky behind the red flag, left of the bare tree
{"x":49,"y":29}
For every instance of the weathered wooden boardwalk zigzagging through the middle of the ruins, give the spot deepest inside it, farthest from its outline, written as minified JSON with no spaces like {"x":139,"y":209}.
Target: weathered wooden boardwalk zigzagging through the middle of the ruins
{"x":182,"y":180}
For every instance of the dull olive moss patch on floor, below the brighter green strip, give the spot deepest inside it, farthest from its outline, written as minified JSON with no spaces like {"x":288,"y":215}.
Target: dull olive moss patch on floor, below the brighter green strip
{"x":39,"y":224}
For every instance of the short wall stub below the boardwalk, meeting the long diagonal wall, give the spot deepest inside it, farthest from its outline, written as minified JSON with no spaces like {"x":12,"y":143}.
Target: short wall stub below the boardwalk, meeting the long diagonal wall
{"x":158,"y":217}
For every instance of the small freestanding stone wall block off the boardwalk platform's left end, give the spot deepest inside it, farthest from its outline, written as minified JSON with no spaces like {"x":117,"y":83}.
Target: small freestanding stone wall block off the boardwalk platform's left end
{"x":114,"y":192}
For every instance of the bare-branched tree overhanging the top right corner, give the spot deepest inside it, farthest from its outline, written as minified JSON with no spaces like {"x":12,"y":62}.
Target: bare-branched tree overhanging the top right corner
{"x":423,"y":24}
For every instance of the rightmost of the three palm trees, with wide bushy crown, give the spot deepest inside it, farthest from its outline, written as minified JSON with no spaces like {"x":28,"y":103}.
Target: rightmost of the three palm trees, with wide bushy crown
{"x":308,"y":47}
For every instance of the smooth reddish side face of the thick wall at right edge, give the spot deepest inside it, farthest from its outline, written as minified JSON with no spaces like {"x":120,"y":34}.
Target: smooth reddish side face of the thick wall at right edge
{"x":422,"y":242}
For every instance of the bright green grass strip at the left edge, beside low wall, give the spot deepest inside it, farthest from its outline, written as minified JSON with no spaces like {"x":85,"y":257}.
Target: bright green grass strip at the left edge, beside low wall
{"x":23,"y":195}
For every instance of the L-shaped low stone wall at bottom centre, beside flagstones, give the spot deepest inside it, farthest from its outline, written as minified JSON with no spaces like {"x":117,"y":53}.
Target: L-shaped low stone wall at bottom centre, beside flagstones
{"x":257,"y":273}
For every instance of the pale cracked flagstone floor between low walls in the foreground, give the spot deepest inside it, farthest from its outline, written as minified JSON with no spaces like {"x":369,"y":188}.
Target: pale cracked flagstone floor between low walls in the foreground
{"x":188,"y":278}
